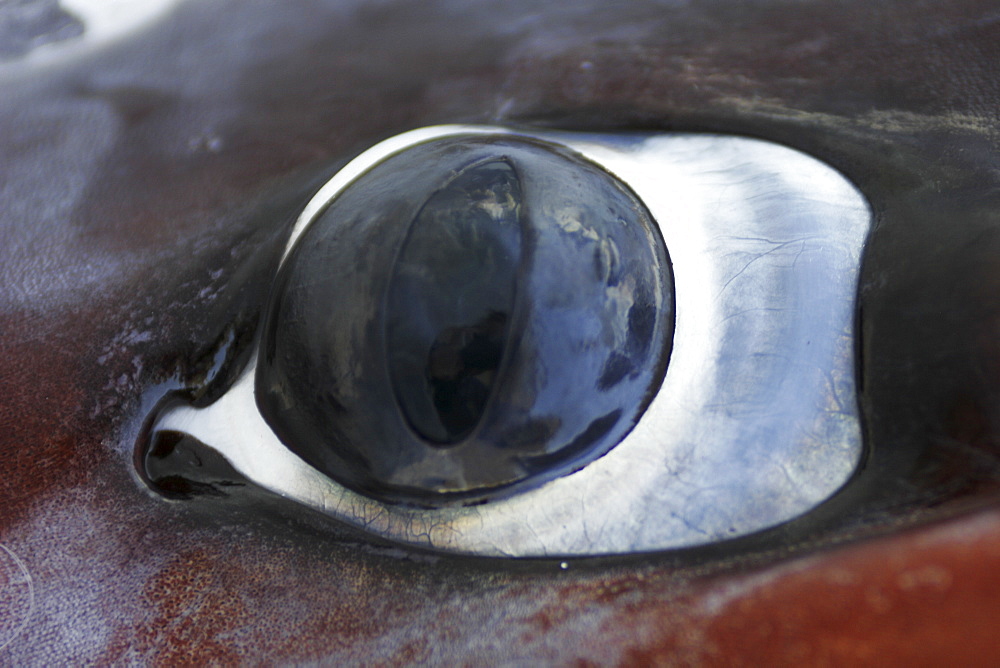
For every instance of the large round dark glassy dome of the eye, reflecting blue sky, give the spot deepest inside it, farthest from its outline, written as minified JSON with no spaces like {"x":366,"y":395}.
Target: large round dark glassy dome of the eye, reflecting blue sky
{"x":469,"y":316}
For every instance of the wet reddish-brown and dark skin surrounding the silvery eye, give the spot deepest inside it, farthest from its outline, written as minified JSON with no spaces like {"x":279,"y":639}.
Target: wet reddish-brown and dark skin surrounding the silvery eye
{"x":145,"y":192}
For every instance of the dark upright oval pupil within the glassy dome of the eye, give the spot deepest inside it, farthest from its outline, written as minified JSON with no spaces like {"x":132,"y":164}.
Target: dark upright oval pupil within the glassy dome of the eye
{"x":450,"y":300}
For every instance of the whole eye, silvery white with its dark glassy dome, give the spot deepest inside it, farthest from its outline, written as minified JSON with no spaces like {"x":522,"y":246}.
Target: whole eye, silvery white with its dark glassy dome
{"x":754,"y":422}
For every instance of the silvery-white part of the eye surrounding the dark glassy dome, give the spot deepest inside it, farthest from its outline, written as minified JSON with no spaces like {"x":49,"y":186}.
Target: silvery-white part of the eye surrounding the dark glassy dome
{"x":756,"y":421}
